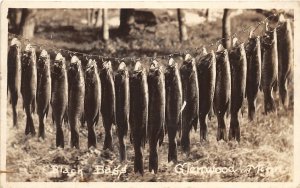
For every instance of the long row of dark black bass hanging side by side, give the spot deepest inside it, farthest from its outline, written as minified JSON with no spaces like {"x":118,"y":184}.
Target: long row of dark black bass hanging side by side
{"x":151,"y":103}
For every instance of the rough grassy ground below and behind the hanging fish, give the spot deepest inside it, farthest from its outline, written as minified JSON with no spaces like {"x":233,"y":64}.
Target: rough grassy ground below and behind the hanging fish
{"x":265,"y":152}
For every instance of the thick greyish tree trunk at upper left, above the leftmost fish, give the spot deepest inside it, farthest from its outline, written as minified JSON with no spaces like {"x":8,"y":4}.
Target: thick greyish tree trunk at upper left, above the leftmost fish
{"x":27,"y":23}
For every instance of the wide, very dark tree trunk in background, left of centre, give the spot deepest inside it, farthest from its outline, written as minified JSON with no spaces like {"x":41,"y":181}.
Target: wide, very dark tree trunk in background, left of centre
{"x":126,"y":21}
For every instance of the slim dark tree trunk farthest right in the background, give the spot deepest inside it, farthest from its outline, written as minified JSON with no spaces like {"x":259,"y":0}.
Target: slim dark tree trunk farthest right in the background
{"x":226,"y":27}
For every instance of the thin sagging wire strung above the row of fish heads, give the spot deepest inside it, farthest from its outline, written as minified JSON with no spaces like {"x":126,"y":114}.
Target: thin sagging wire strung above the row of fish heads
{"x":245,"y":29}
